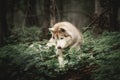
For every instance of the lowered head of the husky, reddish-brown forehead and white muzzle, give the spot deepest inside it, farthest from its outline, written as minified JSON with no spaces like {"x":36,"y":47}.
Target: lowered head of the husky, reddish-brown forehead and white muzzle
{"x":60,"y":37}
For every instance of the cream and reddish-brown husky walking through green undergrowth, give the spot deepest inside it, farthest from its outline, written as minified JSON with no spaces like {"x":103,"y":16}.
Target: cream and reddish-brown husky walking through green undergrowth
{"x":64,"y":35}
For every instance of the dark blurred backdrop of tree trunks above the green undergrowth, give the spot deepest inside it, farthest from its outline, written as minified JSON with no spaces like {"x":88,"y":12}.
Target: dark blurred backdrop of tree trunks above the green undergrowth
{"x":100,"y":14}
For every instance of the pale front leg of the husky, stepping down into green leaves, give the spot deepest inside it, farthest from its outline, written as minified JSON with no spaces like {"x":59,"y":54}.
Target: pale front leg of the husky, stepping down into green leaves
{"x":60,"y":58}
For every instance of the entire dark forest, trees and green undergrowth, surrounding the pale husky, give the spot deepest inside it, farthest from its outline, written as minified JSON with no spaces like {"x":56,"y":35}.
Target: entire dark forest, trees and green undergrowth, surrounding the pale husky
{"x":24,"y":25}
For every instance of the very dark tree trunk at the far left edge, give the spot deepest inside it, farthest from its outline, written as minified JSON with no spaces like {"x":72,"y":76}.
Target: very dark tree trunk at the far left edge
{"x":4,"y":32}
